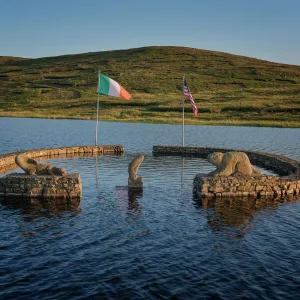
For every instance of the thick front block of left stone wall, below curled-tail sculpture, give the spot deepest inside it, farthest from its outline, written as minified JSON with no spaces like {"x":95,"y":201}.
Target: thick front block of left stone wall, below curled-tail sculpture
{"x":31,"y":188}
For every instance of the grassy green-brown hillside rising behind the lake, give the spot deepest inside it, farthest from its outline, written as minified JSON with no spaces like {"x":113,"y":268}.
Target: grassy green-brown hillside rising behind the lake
{"x":228,"y":89}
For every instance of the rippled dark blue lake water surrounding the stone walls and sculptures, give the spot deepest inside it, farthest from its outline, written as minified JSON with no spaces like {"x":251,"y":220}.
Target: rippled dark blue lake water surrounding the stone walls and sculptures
{"x":156,"y":244}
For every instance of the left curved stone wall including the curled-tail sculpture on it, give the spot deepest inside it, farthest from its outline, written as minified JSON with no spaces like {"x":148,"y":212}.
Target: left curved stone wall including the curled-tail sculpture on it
{"x":44,"y":182}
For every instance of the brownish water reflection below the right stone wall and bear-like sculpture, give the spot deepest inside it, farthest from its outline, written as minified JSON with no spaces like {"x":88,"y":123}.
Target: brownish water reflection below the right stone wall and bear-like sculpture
{"x":235,"y":215}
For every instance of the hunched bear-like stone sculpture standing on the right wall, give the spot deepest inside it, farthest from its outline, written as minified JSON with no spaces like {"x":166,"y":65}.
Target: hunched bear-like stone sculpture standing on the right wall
{"x":230,"y":163}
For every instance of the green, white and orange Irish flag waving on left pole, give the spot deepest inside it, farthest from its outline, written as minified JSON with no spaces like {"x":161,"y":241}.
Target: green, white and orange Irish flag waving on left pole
{"x":108,"y":86}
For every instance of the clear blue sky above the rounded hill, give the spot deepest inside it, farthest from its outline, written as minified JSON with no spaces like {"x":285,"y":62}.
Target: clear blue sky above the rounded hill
{"x":264,"y":29}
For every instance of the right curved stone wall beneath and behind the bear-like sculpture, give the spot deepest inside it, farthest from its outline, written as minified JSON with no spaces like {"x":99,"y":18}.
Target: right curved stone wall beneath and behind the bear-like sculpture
{"x":243,"y":186}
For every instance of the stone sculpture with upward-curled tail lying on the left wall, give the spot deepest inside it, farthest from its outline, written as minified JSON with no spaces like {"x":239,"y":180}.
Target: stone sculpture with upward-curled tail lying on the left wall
{"x":31,"y":167}
